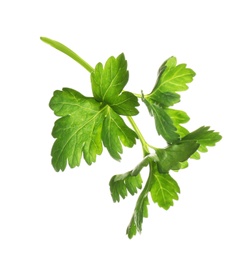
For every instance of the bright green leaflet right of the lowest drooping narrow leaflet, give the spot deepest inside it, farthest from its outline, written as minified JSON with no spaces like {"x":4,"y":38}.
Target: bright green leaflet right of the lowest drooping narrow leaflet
{"x":164,"y":190}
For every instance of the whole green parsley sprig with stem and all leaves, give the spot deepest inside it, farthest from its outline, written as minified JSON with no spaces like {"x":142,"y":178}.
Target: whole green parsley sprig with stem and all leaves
{"x":87,"y":124}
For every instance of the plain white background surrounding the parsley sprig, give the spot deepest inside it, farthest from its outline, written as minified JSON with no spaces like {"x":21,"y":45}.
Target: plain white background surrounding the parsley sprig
{"x":70,"y":215}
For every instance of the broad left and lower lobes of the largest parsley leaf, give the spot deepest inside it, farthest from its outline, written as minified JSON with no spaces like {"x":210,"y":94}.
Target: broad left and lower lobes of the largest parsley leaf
{"x":83,"y":125}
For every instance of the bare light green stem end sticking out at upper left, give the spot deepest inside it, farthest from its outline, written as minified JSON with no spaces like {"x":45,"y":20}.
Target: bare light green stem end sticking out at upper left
{"x":59,"y":46}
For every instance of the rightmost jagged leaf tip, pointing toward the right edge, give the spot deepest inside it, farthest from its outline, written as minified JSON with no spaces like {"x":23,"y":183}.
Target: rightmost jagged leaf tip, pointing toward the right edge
{"x":204,"y":137}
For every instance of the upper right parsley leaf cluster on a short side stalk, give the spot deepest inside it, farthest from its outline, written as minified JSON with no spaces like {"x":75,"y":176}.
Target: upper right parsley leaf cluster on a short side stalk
{"x":172,"y":78}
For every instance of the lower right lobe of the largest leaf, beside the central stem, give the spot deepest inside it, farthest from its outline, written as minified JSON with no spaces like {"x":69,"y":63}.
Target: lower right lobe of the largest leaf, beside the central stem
{"x":115,"y":132}
